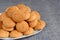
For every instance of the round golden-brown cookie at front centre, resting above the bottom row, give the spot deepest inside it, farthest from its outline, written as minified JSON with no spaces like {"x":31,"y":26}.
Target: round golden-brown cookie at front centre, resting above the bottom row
{"x":22,"y":26}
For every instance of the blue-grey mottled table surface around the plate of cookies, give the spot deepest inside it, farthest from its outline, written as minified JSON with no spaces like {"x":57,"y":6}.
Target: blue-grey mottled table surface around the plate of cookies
{"x":50,"y":12}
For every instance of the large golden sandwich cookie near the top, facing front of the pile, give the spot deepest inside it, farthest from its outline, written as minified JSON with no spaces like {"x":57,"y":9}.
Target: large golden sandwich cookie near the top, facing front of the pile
{"x":19,"y":16}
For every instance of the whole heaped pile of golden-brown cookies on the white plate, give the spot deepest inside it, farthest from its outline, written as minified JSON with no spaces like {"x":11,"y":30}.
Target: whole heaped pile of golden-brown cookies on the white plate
{"x":19,"y":20}
